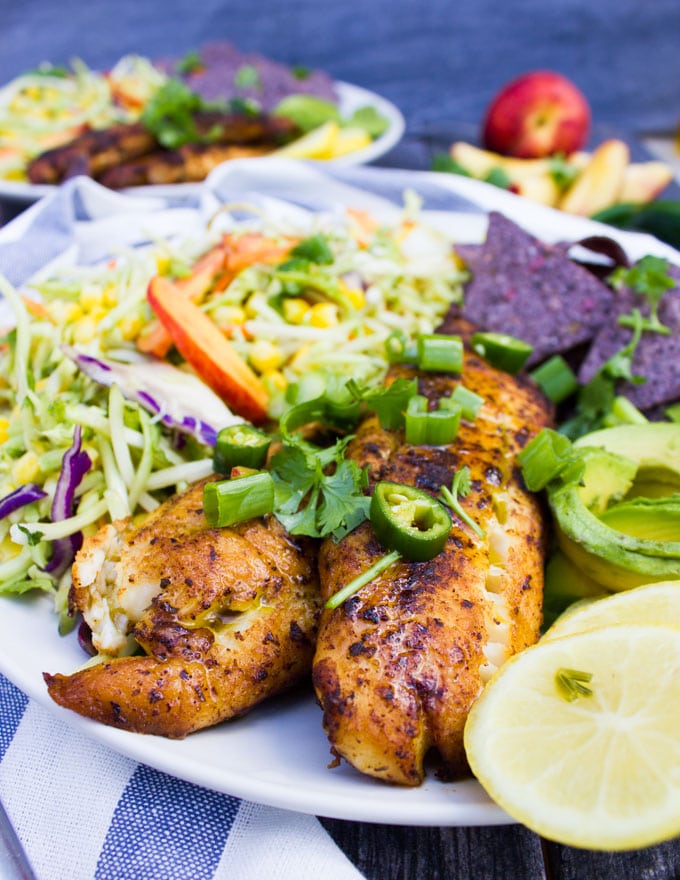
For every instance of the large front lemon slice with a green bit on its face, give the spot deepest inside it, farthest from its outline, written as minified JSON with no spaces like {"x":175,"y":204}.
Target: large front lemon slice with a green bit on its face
{"x":602,"y":770}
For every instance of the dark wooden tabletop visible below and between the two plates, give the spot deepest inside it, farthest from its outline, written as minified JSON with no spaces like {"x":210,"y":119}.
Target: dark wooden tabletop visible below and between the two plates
{"x":504,"y":852}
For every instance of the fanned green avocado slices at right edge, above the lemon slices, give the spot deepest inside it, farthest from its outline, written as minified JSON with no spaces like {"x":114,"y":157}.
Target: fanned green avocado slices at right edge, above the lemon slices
{"x":612,"y":534}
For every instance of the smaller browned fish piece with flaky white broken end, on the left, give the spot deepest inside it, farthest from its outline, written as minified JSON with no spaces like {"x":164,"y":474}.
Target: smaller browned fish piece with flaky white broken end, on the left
{"x":226,"y":617}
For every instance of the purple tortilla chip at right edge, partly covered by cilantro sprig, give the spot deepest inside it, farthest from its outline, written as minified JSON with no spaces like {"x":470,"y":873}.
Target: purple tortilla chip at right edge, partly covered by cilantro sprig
{"x":656,"y":358}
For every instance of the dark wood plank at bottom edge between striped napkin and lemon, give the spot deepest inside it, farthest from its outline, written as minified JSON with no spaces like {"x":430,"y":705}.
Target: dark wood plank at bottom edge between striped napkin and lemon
{"x":391,"y":852}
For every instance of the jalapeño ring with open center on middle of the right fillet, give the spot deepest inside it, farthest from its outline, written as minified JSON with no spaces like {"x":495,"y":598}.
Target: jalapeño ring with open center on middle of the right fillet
{"x":408,"y":520}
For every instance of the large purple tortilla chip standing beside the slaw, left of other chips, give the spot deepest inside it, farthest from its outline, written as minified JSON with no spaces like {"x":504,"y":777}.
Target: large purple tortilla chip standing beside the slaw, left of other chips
{"x":532,"y":290}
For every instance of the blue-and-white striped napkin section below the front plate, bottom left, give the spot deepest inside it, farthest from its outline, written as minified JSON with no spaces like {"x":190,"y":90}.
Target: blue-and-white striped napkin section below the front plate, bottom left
{"x":82,"y":811}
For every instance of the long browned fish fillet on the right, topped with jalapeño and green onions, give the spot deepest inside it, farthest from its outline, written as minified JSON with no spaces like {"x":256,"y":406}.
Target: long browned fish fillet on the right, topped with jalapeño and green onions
{"x":399,"y":664}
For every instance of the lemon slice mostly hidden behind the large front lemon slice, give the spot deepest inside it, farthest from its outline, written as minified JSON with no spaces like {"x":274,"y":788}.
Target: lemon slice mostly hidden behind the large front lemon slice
{"x":657,"y":603}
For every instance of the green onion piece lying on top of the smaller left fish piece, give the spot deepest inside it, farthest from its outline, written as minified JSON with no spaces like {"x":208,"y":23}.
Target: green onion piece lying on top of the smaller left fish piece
{"x":227,"y":502}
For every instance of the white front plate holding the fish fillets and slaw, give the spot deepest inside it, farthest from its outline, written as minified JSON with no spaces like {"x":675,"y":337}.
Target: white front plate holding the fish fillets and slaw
{"x":278,"y":754}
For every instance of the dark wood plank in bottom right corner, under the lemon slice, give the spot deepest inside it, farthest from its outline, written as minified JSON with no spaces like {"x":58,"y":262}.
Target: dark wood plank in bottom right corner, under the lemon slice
{"x":660,"y":862}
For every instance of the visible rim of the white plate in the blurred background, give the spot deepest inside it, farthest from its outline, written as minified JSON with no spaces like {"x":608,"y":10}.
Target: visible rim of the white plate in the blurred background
{"x":350,"y":98}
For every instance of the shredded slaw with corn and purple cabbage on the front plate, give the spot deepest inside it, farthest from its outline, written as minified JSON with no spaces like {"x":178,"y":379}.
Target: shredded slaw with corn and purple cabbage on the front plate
{"x":75,"y":387}
